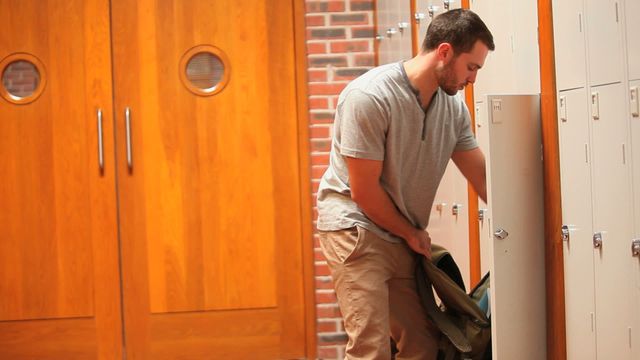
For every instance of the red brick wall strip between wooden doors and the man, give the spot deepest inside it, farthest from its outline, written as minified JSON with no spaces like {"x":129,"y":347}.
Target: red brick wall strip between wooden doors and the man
{"x":340,"y":48}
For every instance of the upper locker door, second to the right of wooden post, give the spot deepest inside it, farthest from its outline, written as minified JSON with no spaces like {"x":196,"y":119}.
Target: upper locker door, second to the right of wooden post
{"x":604,"y":41}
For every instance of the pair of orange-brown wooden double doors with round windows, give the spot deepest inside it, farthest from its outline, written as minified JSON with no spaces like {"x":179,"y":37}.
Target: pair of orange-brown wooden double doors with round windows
{"x":174,"y":227}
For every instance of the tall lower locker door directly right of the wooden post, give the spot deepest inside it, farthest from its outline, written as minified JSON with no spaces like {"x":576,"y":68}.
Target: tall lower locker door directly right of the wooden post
{"x":575,"y":180}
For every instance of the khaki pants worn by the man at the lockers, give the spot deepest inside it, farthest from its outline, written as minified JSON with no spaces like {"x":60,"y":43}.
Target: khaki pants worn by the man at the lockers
{"x":376,"y":290}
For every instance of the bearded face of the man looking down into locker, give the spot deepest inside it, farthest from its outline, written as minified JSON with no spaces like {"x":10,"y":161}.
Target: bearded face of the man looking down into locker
{"x":461,"y":69}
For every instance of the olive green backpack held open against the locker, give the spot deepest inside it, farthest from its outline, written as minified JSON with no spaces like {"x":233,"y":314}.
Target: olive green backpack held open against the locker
{"x":462,"y":318}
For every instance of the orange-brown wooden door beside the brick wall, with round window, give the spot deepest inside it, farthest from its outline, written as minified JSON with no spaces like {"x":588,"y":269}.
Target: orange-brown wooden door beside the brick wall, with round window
{"x":210,"y":195}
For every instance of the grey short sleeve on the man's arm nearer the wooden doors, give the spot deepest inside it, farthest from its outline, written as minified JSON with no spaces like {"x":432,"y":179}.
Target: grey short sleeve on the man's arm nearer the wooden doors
{"x":363,"y":126}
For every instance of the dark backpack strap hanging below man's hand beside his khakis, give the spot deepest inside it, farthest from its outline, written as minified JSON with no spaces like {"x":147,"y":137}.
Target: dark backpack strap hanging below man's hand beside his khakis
{"x":446,"y":326}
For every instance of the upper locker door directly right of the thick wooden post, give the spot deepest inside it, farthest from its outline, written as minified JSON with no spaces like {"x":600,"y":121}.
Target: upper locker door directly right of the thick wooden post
{"x":569,"y":42}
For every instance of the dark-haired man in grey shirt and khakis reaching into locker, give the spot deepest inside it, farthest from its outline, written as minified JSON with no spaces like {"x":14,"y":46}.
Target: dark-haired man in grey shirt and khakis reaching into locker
{"x":396,"y":127}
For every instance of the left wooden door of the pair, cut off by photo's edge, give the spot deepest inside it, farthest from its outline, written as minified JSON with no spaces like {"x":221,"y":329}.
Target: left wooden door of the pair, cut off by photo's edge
{"x":59,"y":281}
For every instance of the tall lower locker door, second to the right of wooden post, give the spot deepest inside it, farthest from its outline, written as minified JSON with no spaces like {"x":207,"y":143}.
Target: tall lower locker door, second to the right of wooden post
{"x":612,"y":222}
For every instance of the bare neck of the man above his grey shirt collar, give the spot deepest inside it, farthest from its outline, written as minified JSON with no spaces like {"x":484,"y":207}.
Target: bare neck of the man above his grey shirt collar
{"x":421,"y":73}
